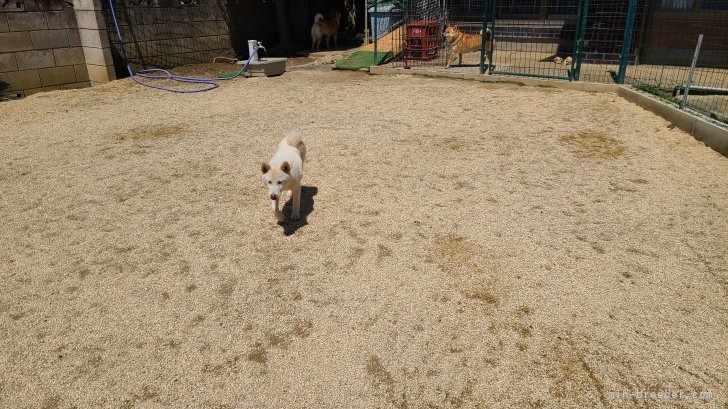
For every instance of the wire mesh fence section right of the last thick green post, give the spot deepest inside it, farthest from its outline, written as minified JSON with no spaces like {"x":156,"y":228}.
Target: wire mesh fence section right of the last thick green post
{"x":666,"y":50}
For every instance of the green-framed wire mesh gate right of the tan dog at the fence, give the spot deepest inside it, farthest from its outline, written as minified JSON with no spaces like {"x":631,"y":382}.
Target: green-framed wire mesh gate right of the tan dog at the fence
{"x":553,"y":39}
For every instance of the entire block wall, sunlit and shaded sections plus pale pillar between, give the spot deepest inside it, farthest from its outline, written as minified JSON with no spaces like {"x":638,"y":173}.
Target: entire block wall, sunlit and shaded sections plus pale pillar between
{"x":73,"y":47}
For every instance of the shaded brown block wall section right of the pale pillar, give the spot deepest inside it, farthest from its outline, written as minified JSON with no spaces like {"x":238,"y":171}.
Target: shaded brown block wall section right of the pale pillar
{"x":158,"y":36}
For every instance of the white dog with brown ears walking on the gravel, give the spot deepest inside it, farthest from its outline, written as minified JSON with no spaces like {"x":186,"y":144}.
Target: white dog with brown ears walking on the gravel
{"x":284,"y":171}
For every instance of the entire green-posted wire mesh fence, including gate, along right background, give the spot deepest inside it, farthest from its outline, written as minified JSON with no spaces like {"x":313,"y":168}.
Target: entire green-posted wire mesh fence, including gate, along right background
{"x":645,"y":43}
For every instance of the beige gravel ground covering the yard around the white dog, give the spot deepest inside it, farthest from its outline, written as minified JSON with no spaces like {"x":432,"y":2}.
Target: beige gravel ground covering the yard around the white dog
{"x":463,"y":245}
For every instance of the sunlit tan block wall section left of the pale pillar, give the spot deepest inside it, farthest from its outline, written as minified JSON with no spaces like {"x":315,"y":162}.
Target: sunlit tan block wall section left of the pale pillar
{"x":41,"y":51}
